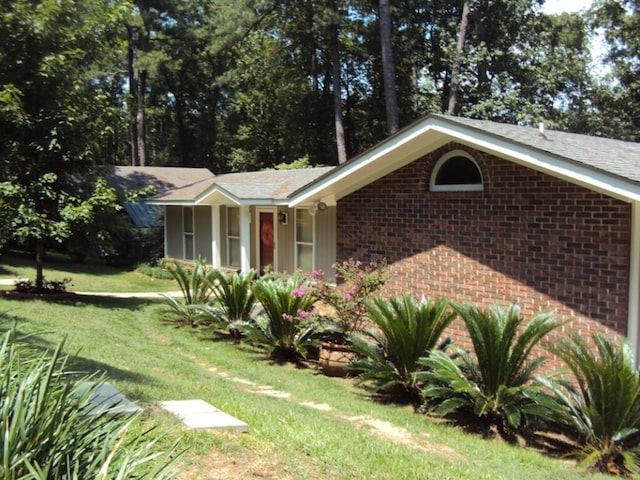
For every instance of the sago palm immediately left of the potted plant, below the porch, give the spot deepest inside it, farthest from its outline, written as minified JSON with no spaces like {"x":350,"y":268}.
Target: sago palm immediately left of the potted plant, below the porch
{"x":285,"y":328}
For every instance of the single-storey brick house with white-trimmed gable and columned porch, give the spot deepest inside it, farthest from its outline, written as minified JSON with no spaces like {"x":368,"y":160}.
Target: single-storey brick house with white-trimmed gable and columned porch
{"x":467,"y":209}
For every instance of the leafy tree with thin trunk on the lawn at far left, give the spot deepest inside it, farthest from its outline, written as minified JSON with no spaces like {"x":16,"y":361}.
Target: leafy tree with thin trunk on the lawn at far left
{"x":53,"y":115}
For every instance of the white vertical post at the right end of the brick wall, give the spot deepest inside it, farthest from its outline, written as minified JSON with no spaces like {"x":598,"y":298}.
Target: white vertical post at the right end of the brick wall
{"x":633,"y":327}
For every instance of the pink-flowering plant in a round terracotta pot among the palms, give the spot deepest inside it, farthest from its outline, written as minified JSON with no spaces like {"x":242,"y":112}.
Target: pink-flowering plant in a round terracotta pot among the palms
{"x":344,"y":311}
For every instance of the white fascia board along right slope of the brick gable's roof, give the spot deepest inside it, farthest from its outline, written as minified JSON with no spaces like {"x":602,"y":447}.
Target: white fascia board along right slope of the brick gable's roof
{"x":569,"y":171}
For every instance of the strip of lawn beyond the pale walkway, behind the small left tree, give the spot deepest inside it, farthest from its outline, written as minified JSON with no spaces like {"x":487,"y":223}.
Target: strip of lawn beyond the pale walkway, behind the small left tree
{"x":84,"y":277}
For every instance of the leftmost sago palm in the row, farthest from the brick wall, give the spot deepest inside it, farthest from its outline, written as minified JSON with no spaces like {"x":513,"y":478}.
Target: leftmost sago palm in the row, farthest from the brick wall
{"x":195,"y":283}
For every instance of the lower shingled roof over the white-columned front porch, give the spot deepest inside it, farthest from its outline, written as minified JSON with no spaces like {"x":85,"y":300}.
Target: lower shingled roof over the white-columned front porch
{"x":268,"y":187}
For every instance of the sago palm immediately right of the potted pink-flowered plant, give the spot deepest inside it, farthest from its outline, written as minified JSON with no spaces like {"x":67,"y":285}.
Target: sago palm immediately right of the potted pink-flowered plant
{"x":406,"y":331}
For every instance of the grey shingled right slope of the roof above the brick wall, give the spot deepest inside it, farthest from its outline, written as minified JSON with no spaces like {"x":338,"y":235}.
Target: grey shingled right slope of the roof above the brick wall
{"x":616,"y":157}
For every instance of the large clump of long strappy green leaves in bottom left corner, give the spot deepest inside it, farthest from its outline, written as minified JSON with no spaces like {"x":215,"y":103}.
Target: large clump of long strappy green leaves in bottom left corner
{"x":49,"y":432}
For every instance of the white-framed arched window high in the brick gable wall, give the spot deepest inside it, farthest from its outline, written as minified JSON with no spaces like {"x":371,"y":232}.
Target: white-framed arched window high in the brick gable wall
{"x":456,"y":171}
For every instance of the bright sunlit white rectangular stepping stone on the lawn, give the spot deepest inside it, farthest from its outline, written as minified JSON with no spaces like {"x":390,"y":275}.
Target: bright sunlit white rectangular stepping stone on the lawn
{"x":199,"y":414}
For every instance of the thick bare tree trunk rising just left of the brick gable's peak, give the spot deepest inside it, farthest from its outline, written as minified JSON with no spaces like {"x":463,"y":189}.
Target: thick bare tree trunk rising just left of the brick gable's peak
{"x":388,"y":68}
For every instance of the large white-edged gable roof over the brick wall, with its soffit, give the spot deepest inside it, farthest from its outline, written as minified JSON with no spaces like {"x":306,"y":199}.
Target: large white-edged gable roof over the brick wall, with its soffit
{"x":608,"y":166}
